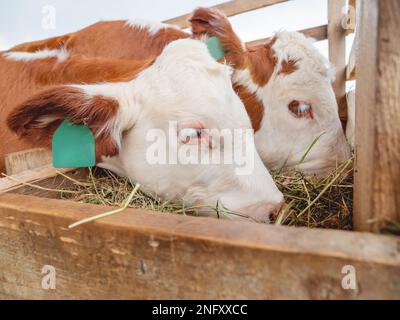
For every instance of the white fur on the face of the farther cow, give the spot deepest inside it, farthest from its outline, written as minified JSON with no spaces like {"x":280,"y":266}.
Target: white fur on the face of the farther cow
{"x":283,"y":139}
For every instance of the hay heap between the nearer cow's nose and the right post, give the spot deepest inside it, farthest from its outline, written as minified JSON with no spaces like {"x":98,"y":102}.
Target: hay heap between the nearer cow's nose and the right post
{"x":318,"y":203}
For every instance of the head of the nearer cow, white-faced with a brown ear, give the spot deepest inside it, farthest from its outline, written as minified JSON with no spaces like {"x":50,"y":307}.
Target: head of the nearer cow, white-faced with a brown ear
{"x":177,"y":105}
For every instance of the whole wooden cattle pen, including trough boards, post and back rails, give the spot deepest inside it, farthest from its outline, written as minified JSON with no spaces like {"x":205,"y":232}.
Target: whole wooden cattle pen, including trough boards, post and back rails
{"x":150,"y":255}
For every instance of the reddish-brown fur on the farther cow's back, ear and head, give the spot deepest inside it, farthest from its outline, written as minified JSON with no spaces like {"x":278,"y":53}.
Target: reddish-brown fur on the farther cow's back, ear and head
{"x":114,"y":39}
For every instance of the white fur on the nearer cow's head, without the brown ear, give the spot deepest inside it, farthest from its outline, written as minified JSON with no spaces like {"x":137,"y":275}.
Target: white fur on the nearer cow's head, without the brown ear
{"x":184,"y":84}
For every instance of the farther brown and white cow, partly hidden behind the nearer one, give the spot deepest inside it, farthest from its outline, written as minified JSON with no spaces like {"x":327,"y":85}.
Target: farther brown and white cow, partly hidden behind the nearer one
{"x":285,"y":83}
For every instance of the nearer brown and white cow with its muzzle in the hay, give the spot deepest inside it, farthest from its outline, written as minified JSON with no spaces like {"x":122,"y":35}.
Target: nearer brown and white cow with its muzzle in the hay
{"x":122,"y":101}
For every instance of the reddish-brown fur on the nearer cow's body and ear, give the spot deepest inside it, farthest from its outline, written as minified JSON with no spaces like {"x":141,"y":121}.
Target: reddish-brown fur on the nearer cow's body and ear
{"x":23,"y":81}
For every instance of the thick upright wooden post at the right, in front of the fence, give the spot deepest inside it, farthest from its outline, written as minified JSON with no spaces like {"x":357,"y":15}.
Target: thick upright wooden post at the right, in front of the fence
{"x":377,"y":175}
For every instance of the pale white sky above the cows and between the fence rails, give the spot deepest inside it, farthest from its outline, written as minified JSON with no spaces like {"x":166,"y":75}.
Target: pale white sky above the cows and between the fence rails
{"x":21,"y":20}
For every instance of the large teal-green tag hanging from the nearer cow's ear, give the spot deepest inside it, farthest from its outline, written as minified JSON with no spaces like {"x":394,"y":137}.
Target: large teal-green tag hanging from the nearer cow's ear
{"x":73,"y":146}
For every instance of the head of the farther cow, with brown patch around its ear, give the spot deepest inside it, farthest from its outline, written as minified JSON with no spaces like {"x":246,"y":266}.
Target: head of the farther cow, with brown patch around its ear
{"x":285,"y":84}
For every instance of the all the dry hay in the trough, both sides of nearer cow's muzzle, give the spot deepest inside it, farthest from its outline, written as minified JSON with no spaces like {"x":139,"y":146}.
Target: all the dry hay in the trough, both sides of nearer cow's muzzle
{"x":312,"y":202}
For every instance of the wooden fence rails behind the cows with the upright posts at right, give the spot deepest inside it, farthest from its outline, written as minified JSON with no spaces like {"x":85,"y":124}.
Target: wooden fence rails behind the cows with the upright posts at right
{"x":377,"y":143}
